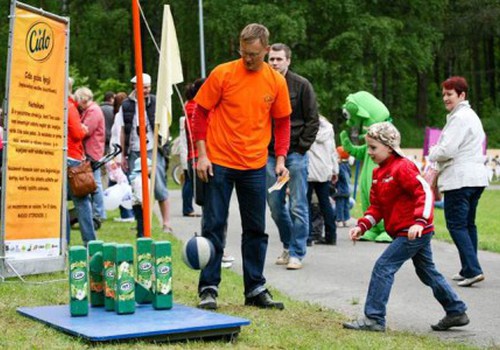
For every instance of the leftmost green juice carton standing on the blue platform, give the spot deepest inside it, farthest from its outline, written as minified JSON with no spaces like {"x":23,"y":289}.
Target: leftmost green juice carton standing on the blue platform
{"x":78,"y":281}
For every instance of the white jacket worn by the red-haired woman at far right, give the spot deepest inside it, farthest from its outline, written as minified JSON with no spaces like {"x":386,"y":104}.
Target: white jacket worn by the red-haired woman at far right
{"x":459,"y":151}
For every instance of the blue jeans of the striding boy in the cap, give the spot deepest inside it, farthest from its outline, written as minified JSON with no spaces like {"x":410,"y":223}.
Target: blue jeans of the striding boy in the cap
{"x":396,"y":254}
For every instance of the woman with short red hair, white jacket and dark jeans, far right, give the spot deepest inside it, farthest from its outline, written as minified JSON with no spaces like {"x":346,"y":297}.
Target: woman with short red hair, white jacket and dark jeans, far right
{"x":462,"y":175}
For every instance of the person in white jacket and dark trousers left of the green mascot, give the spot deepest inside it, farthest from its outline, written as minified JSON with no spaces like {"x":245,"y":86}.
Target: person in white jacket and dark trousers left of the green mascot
{"x":322,"y":170}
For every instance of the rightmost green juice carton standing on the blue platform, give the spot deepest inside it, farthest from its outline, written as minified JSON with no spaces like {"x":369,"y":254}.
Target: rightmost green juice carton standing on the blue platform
{"x":162,"y":286}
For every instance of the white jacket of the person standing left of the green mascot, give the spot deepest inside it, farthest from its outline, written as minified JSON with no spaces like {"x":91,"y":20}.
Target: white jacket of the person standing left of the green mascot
{"x":322,"y":155}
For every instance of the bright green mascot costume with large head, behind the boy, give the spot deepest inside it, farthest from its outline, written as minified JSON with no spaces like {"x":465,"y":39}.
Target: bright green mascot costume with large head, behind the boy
{"x":361,"y":110}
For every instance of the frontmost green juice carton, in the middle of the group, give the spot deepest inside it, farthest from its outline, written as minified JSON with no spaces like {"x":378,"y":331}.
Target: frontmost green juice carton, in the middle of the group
{"x":125,"y":281}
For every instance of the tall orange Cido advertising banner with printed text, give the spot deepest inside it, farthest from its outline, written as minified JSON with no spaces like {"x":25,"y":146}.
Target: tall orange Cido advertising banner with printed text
{"x":34,"y":159}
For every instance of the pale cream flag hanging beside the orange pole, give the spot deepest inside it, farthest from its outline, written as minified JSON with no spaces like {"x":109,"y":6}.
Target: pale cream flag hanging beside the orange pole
{"x":169,"y":73}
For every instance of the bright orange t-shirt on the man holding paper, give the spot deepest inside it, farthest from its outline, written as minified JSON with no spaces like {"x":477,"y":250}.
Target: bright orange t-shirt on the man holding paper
{"x":242,"y":103}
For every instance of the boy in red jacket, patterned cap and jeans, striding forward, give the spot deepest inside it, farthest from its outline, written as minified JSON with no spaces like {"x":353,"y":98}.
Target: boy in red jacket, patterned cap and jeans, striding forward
{"x":401,"y":197}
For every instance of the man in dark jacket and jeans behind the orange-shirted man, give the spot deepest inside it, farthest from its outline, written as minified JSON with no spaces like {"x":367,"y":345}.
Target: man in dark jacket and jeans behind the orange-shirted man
{"x":293,"y":220}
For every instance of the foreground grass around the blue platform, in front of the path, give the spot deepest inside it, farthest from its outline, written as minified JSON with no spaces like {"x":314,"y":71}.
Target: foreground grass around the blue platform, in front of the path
{"x":300,"y":326}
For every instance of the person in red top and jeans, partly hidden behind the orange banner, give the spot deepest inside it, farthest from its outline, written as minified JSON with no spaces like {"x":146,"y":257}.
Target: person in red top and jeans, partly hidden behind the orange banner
{"x":76,"y":156}
